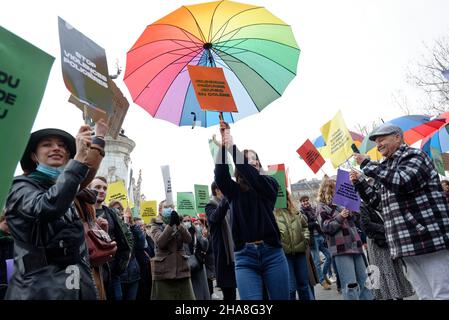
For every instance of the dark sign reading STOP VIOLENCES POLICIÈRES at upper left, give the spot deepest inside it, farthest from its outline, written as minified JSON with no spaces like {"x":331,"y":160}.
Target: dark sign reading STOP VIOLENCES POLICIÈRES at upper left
{"x":84,"y":68}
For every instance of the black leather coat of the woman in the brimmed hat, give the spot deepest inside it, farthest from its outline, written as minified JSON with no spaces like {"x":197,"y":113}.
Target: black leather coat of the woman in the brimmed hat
{"x":50,"y":254}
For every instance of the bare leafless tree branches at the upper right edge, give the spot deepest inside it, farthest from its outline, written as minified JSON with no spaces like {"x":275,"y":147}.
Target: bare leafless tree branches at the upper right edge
{"x":429,"y":77}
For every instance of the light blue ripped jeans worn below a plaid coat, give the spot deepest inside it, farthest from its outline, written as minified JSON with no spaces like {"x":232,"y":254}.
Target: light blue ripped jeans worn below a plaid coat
{"x":352,"y":273}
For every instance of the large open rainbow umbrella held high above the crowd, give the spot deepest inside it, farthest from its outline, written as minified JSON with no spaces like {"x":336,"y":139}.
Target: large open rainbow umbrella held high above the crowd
{"x":257,"y":51}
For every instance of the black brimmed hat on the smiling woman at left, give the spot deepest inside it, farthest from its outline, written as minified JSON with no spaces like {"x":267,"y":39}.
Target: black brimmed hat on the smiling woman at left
{"x":28,"y":165}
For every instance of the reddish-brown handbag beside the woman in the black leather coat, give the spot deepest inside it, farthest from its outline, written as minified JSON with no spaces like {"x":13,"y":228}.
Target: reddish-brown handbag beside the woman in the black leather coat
{"x":101,"y":248}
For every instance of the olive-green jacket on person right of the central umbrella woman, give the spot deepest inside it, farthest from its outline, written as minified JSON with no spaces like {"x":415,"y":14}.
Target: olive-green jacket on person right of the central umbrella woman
{"x":295,"y":233}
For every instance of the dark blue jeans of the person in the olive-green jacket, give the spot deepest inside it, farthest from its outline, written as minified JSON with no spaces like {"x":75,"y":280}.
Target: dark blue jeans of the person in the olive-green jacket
{"x":299,"y":276}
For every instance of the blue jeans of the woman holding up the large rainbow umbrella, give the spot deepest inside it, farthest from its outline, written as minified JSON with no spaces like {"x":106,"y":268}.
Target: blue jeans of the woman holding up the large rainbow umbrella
{"x":261,"y":264}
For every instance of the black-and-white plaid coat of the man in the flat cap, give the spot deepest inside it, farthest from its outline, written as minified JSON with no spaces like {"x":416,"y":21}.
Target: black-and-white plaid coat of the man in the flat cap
{"x":412,"y":201}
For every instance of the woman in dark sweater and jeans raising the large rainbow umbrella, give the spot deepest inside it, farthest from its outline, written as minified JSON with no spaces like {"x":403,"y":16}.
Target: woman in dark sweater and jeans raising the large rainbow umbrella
{"x":259,"y":258}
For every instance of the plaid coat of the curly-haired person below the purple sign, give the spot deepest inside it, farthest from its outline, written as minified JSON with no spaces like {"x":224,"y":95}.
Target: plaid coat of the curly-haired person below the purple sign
{"x":341,"y":234}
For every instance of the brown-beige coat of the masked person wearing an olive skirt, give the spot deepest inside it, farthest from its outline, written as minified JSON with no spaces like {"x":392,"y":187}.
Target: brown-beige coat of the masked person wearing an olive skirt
{"x":170,"y":261}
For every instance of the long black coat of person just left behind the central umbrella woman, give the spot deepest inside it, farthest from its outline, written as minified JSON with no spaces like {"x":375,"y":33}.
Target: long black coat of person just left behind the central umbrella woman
{"x":224,"y":272}
